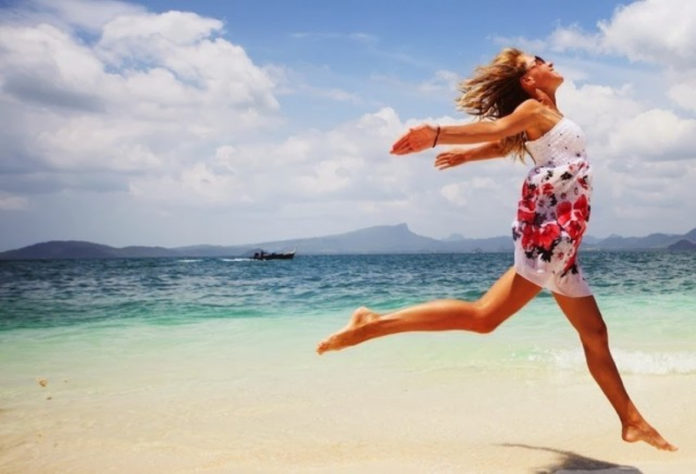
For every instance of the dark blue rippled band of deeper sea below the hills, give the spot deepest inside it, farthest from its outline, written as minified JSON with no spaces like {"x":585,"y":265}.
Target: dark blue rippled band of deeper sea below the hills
{"x":171,"y":291}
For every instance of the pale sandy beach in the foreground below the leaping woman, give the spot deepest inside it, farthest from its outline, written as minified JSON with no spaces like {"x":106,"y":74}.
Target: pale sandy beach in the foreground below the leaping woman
{"x":194,"y":407}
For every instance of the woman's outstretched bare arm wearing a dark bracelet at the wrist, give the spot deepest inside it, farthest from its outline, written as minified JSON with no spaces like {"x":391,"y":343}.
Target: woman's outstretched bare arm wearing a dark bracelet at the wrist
{"x":427,"y":136}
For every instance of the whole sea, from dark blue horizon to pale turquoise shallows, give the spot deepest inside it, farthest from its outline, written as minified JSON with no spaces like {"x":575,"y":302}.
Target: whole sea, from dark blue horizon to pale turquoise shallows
{"x":81,"y":309}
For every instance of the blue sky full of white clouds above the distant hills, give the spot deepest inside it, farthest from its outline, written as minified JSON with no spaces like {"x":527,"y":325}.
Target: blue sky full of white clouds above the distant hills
{"x":178,"y":123}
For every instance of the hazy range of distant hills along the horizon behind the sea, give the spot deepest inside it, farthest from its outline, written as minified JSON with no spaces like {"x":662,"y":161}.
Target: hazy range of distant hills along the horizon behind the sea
{"x":371,"y":240}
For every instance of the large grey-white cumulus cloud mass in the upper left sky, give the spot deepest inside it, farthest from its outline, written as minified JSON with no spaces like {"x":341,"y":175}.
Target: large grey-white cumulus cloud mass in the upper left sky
{"x":148,"y":93}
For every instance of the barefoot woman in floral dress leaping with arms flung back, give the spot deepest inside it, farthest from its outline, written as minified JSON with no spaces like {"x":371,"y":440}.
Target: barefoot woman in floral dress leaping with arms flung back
{"x":518,"y":92}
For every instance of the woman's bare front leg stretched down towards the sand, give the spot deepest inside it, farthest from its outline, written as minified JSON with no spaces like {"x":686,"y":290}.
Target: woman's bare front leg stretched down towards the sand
{"x":584,"y":315}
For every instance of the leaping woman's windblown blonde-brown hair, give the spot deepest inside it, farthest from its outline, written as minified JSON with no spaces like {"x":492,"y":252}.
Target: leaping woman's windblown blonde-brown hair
{"x":495,"y":91}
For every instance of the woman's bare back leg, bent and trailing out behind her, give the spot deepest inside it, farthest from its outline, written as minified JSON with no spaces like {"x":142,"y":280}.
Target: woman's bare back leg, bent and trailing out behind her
{"x":502,"y":300}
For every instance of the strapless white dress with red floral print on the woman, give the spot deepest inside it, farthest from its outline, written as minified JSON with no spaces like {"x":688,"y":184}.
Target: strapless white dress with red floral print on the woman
{"x":554,"y":210}
